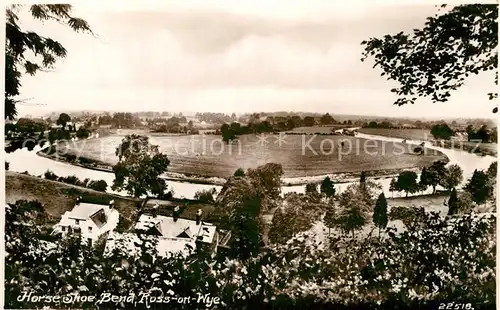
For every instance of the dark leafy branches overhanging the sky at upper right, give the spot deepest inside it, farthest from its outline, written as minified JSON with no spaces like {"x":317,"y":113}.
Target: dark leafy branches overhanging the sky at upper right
{"x":435,"y":60}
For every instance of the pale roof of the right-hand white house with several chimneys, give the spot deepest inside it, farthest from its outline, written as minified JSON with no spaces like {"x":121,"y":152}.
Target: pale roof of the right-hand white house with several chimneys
{"x":182,"y":227}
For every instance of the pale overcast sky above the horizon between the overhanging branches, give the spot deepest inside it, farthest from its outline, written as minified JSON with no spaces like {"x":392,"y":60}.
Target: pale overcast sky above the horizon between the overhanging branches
{"x":278,"y":56}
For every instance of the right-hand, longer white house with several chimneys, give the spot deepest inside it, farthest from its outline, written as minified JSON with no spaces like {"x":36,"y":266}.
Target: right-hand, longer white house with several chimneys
{"x":175,"y":235}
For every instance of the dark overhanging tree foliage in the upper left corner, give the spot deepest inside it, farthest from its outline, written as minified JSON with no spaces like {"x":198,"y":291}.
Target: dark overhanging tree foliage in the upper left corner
{"x":19,"y":42}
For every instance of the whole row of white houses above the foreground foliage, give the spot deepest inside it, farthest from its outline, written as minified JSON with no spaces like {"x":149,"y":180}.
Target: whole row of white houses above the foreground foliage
{"x":174,"y":234}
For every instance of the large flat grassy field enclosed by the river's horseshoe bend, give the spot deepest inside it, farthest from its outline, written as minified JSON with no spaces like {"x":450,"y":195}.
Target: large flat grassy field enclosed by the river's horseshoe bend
{"x":300,"y":155}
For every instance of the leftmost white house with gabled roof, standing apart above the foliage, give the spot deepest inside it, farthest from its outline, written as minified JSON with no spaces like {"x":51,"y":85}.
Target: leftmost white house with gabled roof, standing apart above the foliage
{"x":88,"y":219}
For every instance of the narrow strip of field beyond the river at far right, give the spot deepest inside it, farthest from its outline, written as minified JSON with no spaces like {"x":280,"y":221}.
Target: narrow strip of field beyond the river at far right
{"x":425,"y":135}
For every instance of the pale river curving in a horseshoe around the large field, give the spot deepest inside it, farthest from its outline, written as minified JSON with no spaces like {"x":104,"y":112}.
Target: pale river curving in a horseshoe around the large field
{"x":23,"y":160}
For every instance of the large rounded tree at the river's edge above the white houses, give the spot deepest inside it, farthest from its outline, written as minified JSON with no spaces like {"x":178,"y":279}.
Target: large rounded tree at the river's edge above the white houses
{"x":139,"y":167}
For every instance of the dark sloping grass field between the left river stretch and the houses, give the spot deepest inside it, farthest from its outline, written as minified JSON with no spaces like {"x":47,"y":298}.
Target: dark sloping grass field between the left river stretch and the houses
{"x":58,"y":198}
